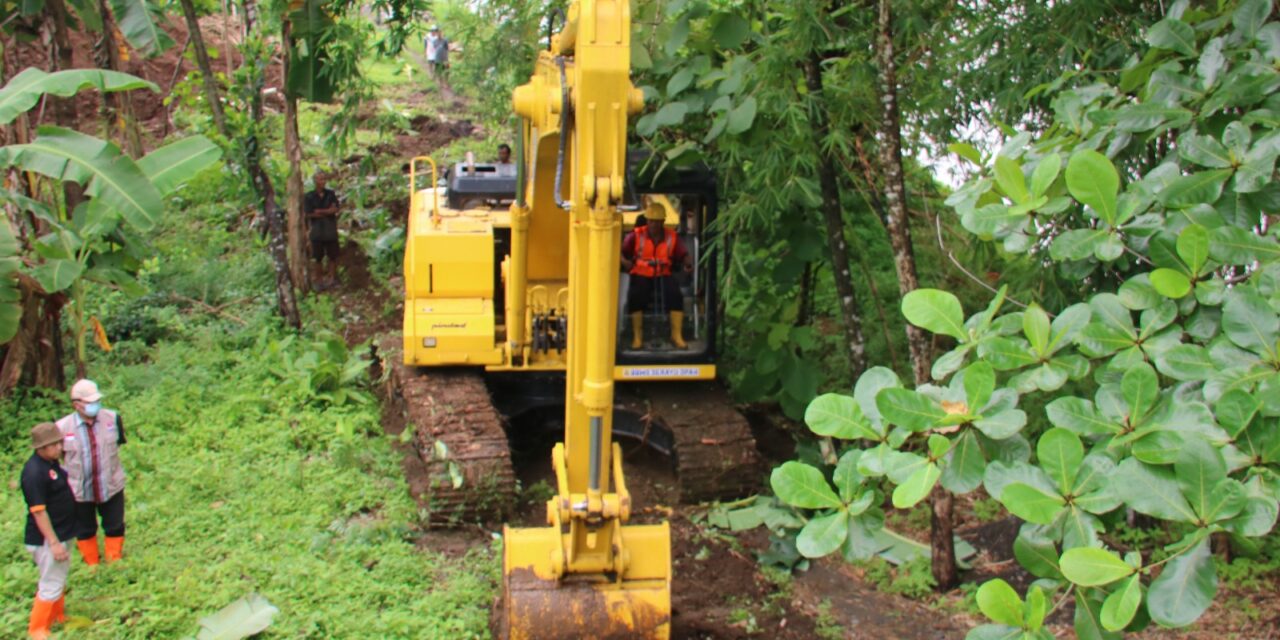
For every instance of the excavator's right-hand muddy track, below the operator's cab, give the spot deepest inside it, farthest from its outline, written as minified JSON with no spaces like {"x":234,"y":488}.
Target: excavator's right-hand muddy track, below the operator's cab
{"x":710,"y":442}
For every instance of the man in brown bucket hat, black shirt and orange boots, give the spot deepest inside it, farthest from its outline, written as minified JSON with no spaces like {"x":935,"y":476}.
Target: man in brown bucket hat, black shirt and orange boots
{"x":51,"y":527}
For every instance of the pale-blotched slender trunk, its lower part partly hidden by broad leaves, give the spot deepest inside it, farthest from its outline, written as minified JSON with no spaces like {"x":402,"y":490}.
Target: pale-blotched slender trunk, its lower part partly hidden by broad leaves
{"x":945,"y":572}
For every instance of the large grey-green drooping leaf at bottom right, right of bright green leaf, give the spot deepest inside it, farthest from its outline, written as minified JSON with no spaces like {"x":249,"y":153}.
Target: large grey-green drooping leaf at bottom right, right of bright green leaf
{"x":1185,"y":589}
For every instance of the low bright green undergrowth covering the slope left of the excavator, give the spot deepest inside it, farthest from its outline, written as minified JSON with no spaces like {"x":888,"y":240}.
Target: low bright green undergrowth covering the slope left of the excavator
{"x":248,"y":472}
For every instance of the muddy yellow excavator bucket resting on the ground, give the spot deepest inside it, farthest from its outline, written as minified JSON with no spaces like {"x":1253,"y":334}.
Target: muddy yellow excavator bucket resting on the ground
{"x":538,"y":605}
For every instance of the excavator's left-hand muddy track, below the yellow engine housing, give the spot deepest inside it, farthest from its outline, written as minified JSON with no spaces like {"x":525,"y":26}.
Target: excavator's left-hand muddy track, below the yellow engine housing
{"x":458,"y":436}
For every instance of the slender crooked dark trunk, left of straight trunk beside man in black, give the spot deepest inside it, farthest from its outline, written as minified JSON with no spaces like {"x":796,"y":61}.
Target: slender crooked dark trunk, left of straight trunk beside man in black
{"x":264,"y":190}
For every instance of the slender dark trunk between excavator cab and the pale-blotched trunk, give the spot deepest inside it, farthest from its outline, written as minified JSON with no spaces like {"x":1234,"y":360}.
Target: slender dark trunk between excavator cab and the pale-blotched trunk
{"x":834,"y":217}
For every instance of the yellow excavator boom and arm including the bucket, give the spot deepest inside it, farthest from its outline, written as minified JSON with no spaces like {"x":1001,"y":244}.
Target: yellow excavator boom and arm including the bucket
{"x":588,"y":574}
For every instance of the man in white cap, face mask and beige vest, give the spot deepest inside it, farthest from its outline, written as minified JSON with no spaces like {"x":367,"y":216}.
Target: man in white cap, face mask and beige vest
{"x":92,"y":444}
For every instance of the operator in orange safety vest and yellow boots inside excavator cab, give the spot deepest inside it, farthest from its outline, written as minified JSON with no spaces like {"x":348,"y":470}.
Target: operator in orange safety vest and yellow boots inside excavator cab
{"x":648,"y":255}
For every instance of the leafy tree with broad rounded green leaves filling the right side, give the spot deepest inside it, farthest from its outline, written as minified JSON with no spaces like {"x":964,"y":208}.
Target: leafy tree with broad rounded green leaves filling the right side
{"x":1160,"y":385}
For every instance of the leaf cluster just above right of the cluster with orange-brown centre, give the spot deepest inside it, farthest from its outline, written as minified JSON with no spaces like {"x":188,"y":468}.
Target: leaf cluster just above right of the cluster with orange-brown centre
{"x":1043,"y":358}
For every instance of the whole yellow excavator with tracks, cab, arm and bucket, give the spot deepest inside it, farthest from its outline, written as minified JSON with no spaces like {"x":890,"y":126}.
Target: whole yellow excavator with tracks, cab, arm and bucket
{"x":513,"y":276}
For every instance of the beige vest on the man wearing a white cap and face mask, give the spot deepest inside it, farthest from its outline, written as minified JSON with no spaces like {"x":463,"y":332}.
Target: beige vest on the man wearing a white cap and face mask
{"x":108,"y":472}
